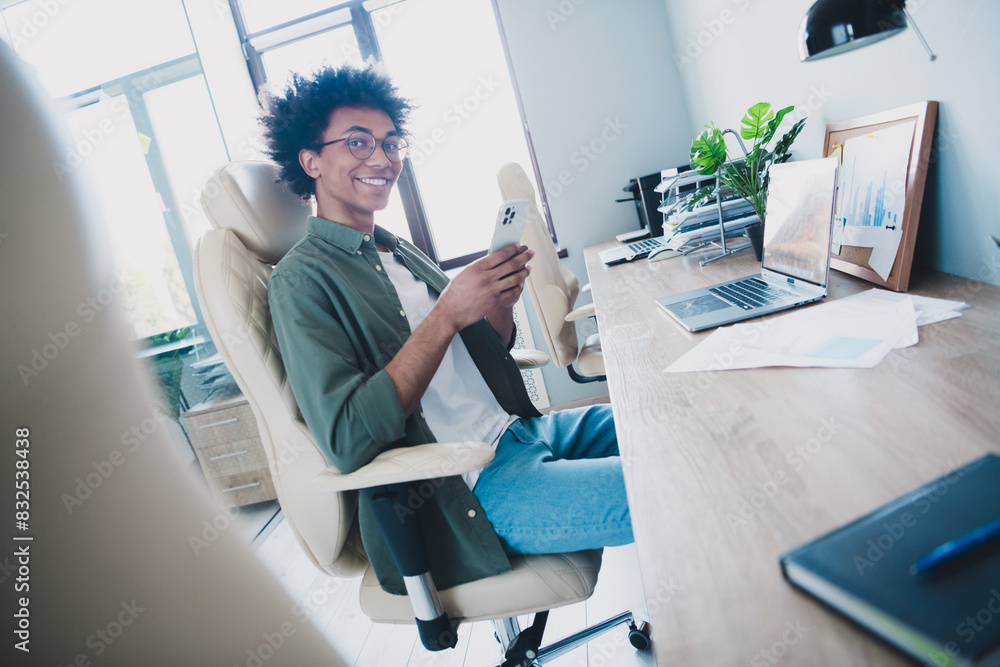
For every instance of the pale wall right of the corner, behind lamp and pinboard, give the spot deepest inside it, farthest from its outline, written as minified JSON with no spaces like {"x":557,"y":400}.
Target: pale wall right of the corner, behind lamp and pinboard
{"x":733,"y":53}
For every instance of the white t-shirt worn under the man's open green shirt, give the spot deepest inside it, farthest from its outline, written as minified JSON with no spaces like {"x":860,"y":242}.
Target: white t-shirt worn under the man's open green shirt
{"x":458,"y":404}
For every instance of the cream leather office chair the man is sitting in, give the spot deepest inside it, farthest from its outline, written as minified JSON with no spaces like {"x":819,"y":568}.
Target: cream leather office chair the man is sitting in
{"x":256,"y":221}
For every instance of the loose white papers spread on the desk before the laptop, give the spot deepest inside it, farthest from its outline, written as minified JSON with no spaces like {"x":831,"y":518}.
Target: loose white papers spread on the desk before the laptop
{"x":853,"y":332}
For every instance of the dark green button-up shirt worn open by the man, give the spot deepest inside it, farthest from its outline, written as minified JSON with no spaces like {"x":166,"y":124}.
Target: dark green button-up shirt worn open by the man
{"x":339,"y":321}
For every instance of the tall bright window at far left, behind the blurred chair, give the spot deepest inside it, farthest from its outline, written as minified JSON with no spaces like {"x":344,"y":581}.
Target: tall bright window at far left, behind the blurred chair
{"x":142,"y":126}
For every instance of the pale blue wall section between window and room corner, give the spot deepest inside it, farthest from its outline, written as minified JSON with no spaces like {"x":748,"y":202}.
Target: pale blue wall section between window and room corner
{"x":601,"y":96}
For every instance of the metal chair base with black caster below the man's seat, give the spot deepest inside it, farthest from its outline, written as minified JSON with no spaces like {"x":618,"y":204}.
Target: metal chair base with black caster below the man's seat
{"x":522,"y":648}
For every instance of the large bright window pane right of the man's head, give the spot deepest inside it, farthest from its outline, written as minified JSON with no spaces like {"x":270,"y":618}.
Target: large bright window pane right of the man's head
{"x":466,"y":125}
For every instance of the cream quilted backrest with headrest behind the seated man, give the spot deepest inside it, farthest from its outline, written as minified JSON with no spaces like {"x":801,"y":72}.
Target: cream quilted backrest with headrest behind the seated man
{"x":257,"y":220}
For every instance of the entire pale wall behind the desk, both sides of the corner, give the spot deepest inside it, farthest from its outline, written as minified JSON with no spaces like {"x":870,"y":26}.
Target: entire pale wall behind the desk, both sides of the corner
{"x":667,"y":67}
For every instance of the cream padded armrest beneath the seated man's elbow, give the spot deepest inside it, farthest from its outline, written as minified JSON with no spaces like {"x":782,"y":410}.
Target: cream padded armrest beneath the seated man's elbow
{"x":408,"y":464}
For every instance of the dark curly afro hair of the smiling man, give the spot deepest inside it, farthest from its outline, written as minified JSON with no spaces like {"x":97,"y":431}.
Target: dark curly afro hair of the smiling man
{"x":296,"y":116}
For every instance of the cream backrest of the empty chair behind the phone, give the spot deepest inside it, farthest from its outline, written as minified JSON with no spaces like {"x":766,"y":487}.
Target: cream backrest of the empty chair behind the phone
{"x":553,"y":287}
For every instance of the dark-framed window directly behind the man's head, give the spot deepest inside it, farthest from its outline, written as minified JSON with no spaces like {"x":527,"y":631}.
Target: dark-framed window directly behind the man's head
{"x":466,"y":126}
